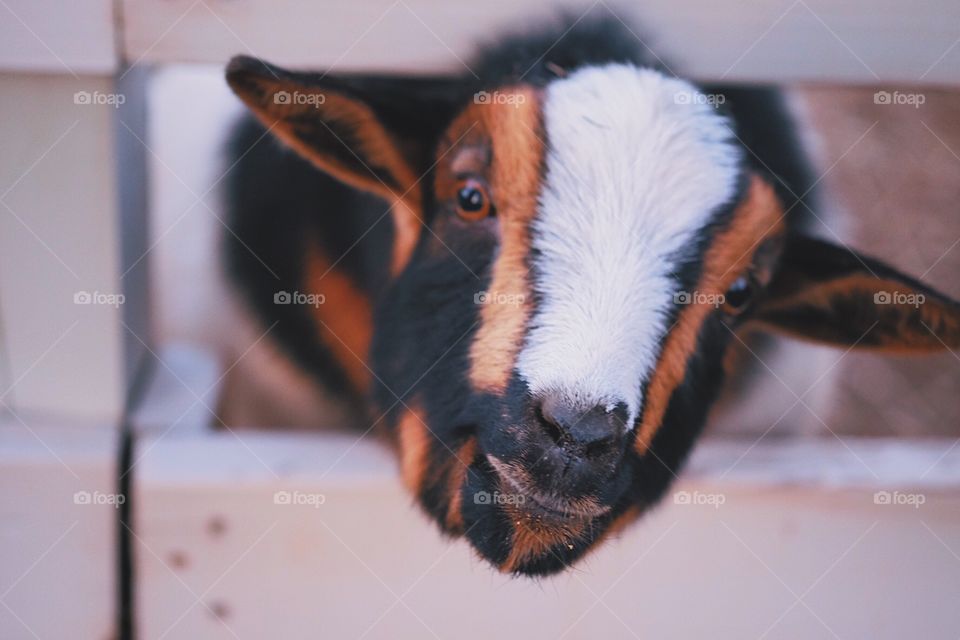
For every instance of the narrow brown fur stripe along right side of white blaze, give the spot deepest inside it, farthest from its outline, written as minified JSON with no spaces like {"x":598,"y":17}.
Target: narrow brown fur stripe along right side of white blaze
{"x":759,"y":215}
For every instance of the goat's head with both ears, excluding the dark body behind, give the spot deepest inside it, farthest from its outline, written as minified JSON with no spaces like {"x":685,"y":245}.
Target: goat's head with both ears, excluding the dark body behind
{"x":570,"y":261}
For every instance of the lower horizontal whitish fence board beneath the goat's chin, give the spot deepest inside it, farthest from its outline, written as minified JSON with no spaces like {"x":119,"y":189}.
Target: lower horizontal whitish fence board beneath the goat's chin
{"x":219,"y":555}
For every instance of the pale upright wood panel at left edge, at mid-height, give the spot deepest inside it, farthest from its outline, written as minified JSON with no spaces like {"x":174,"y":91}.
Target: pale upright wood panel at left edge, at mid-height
{"x":64,"y":298}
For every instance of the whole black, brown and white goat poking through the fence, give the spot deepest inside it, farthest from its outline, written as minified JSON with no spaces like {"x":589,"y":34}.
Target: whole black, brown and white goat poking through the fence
{"x":530,"y":276}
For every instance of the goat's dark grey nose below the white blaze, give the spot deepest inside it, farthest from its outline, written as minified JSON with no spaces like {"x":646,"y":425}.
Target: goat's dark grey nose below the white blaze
{"x":587,"y":433}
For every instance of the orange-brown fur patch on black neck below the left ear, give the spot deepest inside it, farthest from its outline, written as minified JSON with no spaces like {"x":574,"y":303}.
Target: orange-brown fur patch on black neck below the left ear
{"x":344,"y":320}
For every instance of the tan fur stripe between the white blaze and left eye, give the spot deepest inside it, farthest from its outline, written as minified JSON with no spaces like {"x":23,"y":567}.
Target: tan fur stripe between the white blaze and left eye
{"x":511,"y":133}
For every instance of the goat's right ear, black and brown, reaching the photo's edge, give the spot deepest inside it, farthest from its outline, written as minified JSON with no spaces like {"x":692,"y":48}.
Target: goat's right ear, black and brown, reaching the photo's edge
{"x":832,"y":295}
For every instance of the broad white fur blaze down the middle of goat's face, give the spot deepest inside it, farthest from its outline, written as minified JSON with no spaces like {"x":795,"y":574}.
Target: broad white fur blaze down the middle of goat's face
{"x":636,"y":167}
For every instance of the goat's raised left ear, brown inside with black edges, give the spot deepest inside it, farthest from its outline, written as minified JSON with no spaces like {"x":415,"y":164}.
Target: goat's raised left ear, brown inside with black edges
{"x":328,"y":122}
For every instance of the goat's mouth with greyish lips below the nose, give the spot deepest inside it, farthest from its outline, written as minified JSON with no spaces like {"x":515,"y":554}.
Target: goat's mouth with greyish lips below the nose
{"x":520,"y":490}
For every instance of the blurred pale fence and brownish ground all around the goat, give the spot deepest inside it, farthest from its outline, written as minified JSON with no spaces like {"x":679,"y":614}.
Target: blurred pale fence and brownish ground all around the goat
{"x":153,"y":445}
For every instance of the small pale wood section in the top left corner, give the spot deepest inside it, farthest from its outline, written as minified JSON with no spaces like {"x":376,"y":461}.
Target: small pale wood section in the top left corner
{"x":51,"y":36}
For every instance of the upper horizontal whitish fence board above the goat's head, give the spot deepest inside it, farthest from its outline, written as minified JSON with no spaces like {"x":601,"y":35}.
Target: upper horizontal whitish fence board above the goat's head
{"x":768,"y":40}
